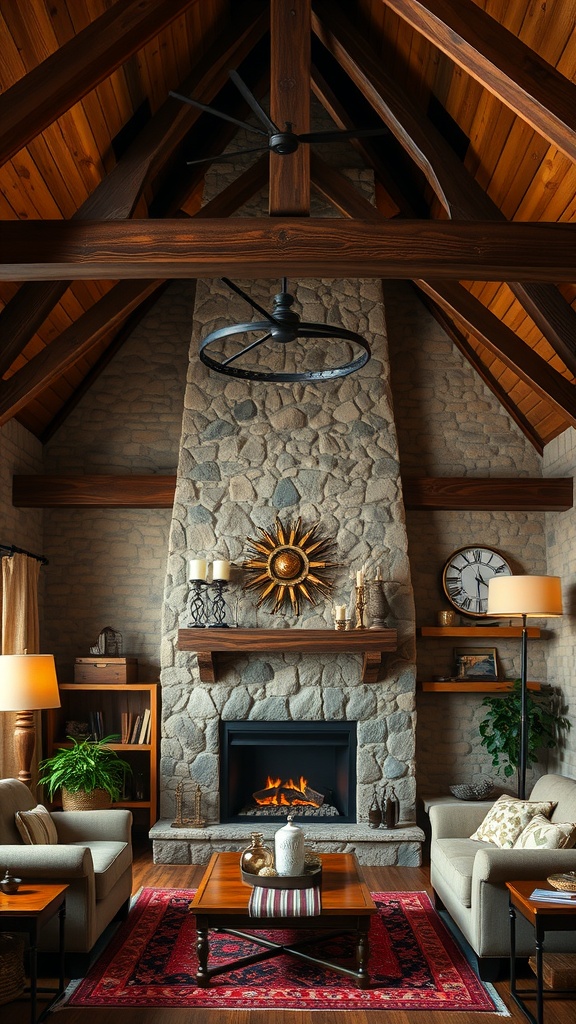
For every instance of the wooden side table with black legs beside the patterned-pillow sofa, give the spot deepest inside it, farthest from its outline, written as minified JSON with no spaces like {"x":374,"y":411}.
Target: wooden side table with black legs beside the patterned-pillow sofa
{"x":545,"y":918}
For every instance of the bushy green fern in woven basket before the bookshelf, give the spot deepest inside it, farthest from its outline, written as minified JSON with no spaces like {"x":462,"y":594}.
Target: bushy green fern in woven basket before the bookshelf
{"x":90,"y":774}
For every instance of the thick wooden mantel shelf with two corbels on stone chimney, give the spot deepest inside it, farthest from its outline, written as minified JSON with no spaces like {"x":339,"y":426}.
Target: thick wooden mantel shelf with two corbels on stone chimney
{"x":208,"y":643}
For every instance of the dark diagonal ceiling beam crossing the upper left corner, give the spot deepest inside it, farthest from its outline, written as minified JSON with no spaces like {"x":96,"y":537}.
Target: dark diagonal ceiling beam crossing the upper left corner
{"x":64,"y":78}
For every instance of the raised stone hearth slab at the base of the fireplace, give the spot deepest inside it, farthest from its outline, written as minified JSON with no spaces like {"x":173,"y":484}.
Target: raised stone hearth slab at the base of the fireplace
{"x":375,"y":847}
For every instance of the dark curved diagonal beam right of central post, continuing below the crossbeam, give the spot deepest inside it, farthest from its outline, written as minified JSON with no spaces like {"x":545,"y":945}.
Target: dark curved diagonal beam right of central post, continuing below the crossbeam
{"x":461,"y":195}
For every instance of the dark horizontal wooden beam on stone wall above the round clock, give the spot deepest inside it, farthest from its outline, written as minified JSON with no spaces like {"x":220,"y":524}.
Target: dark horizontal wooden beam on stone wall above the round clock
{"x":488,"y":495}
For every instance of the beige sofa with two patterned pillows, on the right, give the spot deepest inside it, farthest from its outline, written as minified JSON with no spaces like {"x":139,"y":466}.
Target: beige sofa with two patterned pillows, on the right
{"x":469,"y":877}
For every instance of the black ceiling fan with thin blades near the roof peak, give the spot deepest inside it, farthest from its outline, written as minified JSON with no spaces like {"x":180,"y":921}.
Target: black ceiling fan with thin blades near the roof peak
{"x":279,"y":141}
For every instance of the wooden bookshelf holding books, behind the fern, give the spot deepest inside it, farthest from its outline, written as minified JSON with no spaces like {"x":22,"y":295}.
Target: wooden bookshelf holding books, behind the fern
{"x":111,"y":704}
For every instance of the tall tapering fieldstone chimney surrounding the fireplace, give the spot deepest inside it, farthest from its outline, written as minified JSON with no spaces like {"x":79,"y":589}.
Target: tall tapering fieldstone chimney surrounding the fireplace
{"x":323,"y":451}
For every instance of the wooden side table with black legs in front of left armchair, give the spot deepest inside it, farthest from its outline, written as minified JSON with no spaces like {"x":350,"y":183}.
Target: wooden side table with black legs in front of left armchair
{"x":28,"y":911}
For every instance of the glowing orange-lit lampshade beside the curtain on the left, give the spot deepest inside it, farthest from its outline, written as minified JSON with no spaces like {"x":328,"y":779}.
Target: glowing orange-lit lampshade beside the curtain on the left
{"x":28,"y":682}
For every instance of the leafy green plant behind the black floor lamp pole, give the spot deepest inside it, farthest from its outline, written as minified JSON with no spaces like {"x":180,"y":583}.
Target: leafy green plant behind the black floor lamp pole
{"x":500,"y":731}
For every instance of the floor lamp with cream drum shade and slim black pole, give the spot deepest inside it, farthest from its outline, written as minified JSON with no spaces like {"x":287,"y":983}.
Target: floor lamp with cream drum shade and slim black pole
{"x":523,"y":596}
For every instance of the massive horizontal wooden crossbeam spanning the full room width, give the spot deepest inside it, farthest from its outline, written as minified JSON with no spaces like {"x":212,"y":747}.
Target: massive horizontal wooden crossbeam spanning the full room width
{"x":268,"y":248}
